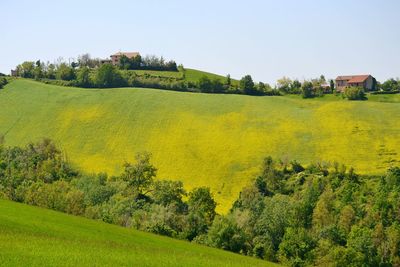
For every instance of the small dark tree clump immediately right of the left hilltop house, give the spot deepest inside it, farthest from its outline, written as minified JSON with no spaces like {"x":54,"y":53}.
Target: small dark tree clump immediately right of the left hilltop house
{"x":147,"y":63}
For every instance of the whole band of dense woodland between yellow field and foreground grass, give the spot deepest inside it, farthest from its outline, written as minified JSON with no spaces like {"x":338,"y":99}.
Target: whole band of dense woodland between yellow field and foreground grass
{"x":292,"y":214}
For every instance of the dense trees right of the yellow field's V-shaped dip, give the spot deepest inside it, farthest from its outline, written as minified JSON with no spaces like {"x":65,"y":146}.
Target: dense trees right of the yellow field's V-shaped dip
{"x":314,"y":216}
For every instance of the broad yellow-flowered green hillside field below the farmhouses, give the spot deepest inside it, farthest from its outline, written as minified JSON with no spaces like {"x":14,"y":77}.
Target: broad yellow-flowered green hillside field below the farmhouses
{"x":201,"y":139}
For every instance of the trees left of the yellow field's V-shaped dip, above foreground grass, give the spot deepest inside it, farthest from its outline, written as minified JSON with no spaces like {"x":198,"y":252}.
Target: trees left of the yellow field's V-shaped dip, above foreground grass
{"x":39,"y":175}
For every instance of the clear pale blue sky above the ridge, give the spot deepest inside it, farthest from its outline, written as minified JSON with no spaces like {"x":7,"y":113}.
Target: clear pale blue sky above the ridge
{"x":267,"y":39}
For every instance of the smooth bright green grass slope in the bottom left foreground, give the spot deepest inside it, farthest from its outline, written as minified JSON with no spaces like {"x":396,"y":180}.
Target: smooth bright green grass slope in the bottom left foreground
{"x":31,"y":236}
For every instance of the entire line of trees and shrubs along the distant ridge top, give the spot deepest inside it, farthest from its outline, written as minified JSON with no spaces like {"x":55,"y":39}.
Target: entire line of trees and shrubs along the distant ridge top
{"x":89,"y":72}
